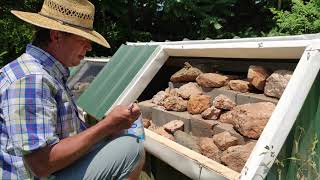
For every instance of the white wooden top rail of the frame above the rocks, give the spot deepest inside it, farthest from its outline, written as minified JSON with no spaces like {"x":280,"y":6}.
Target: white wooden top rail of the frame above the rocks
{"x":258,"y":50}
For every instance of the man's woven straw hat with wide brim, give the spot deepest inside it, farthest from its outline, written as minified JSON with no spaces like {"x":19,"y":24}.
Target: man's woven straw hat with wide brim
{"x":72,"y":16}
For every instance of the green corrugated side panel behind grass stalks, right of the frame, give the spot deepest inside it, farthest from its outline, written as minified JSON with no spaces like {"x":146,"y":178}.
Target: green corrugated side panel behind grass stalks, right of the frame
{"x":299,"y":157}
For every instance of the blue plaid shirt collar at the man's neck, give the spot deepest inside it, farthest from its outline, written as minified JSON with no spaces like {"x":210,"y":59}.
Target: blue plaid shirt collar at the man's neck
{"x":52,"y":65}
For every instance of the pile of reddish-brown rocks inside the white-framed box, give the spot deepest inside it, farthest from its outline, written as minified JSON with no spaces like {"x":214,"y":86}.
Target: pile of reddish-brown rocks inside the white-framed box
{"x":236,"y":127}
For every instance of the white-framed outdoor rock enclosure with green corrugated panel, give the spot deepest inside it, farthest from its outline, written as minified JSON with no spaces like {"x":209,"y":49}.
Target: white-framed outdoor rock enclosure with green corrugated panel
{"x":230,"y":118}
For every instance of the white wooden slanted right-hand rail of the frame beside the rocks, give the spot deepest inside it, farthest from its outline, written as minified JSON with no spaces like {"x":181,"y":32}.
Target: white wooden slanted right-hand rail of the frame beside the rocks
{"x":284,"y":115}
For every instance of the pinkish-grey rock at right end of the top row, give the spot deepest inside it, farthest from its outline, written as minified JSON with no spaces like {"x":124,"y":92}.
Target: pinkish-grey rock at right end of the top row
{"x":277,"y":82}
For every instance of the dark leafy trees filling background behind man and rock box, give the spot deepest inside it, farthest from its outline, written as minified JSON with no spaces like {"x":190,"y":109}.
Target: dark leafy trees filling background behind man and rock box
{"x":159,"y":20}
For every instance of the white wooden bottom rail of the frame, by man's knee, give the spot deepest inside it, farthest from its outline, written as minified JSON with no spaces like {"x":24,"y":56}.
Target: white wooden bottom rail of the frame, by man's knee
{"x":185,"y":160}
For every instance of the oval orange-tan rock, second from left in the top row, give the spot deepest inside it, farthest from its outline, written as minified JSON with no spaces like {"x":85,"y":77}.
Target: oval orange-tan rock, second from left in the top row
{"x":212,"y":80}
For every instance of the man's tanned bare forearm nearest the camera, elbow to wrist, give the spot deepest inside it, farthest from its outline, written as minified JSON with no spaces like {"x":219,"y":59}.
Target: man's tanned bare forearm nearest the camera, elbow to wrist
{"x":48,"y":160}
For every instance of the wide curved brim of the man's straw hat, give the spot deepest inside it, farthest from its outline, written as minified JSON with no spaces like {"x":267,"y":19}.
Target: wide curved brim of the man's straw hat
{"x":44,"y":22}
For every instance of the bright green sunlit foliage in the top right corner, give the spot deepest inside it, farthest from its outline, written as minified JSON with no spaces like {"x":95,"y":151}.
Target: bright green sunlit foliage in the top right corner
{"x":303,"y":18}
